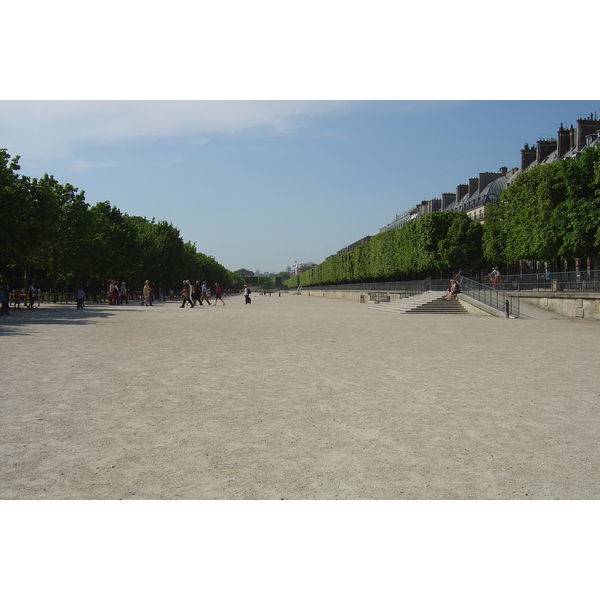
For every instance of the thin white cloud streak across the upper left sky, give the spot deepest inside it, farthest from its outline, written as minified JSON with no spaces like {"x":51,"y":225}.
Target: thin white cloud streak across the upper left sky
{"x":51,"y":129}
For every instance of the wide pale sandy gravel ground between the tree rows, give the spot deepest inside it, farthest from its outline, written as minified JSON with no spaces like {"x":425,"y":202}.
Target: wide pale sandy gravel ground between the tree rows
{"x":295,"y":398}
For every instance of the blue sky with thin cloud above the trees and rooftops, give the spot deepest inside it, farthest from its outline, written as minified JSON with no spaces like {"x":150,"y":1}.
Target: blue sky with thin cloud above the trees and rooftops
{"x":262,"y":184}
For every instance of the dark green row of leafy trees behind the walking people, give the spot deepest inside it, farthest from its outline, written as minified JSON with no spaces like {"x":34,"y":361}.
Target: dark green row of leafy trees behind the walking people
{"x":50,"y":233}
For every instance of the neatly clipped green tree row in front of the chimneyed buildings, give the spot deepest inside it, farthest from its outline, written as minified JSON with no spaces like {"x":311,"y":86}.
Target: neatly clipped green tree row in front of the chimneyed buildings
{"x":550,"y":213}
